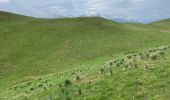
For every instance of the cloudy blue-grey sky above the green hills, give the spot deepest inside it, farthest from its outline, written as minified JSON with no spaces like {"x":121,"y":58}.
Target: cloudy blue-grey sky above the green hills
{"x":123,"y":10}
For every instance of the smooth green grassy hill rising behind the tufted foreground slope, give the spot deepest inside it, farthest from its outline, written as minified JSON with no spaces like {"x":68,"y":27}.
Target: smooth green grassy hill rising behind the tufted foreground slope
{"x":33,"y":47}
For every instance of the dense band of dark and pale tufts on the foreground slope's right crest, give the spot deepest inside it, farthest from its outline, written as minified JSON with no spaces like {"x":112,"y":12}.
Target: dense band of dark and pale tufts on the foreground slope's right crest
{"x":132,"y":60}
